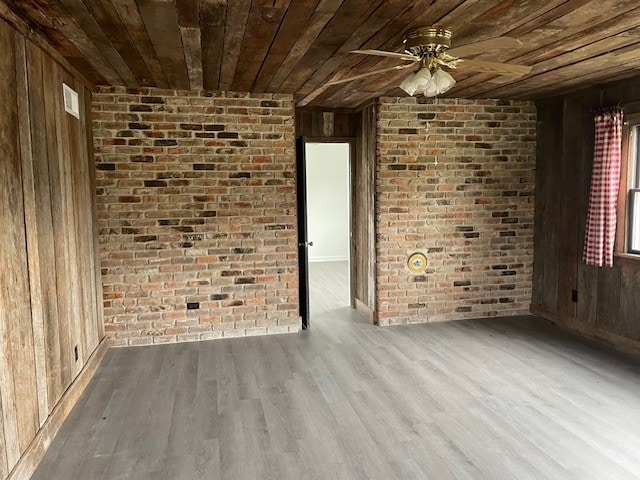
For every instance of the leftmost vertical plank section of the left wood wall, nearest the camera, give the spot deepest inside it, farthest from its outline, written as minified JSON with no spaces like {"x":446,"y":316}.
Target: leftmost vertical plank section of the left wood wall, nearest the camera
{"x":17,"y":363}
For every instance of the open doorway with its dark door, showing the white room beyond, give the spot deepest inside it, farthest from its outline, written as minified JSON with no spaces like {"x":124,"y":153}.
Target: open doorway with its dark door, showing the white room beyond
{"x":324,"y":199}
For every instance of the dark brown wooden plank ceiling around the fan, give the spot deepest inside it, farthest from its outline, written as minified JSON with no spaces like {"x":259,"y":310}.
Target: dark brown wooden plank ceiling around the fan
{"x":296,"y":46}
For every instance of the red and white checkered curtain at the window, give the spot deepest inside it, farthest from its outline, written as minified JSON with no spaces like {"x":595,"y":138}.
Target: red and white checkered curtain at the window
{"x":603,"y":197}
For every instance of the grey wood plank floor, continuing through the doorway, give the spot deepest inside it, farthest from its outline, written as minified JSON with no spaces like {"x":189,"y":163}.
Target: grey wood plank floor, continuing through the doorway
{"x":491,"y":399}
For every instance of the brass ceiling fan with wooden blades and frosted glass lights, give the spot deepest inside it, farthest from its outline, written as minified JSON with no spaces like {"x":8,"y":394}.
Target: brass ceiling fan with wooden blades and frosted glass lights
{"x":430,"y":48}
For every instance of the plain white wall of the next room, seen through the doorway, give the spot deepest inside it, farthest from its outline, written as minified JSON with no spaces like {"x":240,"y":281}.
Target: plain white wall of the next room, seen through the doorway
{"x":328,"y":201}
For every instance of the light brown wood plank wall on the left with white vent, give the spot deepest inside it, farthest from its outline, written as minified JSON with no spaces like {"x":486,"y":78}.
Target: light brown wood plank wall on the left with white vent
{"x":50,"y":290}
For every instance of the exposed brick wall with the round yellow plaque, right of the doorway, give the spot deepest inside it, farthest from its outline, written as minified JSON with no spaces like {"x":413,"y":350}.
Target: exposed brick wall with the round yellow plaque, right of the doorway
{"x":454,"y":180}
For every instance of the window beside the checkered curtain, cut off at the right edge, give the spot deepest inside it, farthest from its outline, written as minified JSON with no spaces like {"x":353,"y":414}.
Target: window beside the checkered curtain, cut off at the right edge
{"x":630,"y":188}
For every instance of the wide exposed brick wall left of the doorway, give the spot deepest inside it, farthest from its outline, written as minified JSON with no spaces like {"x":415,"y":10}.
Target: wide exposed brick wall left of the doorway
{"x":196,"y":211}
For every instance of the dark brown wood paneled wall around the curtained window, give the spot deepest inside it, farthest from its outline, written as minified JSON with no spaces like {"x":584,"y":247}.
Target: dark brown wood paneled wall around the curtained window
{"x":608,"y":299}
